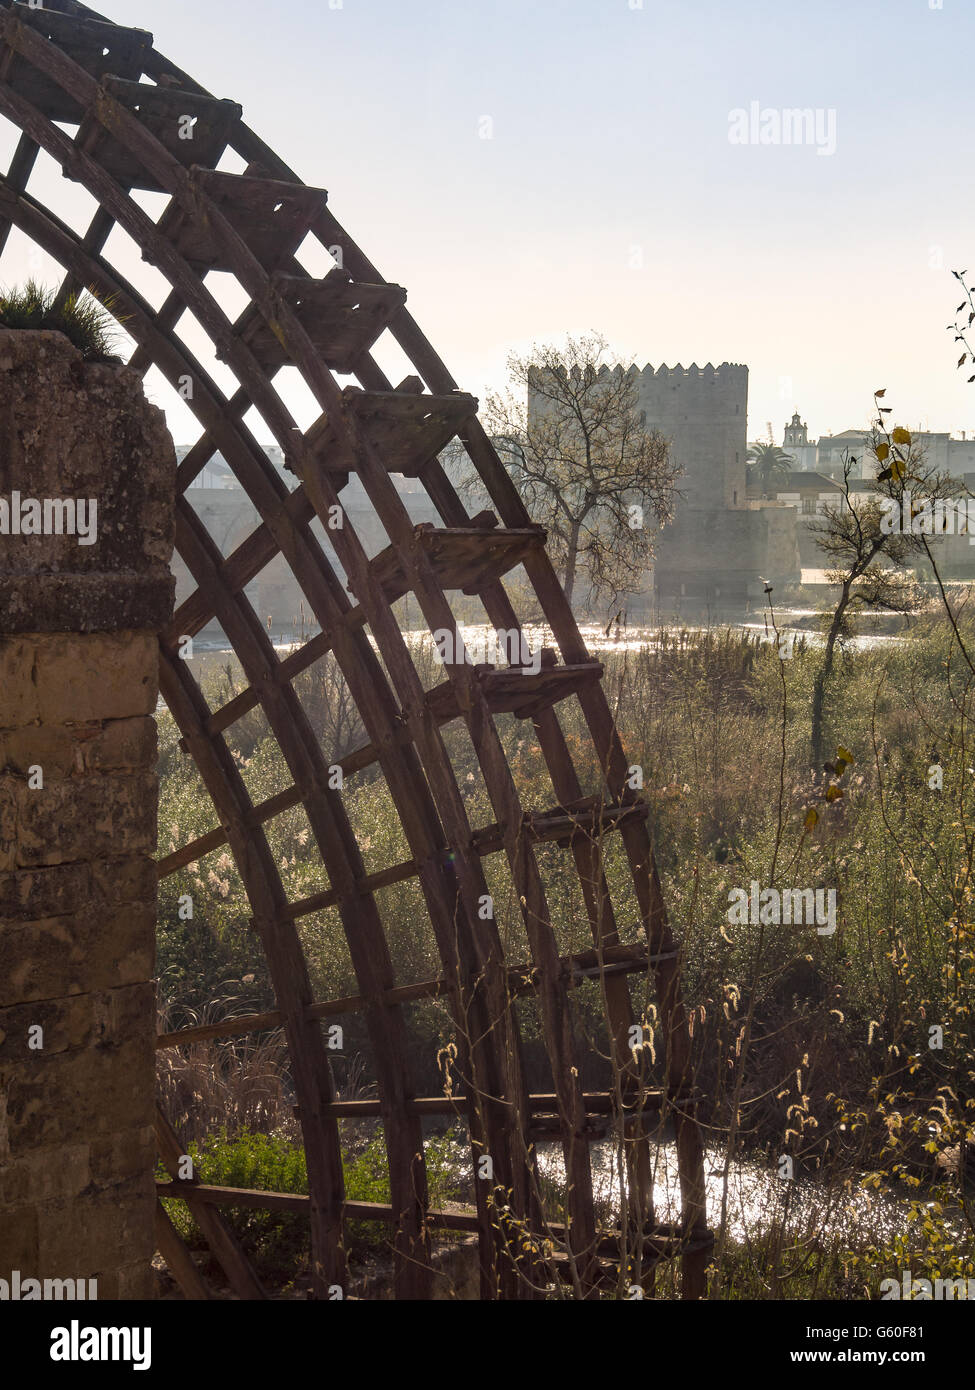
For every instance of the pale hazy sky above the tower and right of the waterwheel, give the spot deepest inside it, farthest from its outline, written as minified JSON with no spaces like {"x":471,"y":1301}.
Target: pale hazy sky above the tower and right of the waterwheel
{"x":609,"y":195}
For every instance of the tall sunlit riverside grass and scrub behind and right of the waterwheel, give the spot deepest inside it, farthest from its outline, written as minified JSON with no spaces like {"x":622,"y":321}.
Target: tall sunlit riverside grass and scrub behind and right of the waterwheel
{"x":806,"y":1047}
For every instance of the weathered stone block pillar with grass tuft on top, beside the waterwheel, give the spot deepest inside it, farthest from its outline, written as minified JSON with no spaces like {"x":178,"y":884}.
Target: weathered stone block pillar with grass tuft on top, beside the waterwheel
{"x":87,"y":504}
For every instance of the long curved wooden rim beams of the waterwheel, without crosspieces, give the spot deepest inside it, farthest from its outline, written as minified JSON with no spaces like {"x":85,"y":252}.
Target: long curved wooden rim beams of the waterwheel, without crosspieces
{"x":405,"y":737}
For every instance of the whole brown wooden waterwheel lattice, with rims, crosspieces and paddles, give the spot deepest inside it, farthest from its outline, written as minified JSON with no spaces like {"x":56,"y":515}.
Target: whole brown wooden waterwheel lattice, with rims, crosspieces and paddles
{"x":124,"y":101}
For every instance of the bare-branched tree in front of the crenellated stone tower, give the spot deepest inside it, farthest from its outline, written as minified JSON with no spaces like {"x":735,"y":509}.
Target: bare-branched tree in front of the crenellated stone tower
{"x":572,"y":437}
